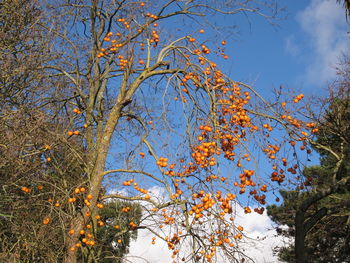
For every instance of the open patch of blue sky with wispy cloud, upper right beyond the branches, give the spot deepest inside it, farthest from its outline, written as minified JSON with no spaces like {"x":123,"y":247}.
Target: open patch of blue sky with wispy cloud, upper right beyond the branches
{"x":299,"y":53}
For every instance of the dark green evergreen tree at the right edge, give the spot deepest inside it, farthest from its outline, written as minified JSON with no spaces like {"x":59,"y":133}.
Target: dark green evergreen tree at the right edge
{"x":324,"y":205}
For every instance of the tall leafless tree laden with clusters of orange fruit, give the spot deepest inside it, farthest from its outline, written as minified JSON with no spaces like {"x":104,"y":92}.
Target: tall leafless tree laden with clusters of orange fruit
{"x":154,"y":111}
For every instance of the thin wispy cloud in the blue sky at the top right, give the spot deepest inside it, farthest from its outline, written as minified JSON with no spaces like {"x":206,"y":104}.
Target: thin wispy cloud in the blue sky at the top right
{"x":323,"y":22}
